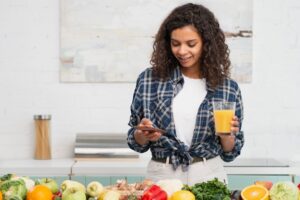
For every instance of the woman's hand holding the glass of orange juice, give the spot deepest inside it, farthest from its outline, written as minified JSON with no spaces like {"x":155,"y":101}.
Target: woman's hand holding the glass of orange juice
{"x":227,"y":141}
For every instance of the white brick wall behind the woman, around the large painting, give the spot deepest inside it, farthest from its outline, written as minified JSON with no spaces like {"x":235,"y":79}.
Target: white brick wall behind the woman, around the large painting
{"x":29,"y":84}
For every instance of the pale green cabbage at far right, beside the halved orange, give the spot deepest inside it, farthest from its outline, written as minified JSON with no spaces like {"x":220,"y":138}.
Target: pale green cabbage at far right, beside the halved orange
{"x":284,"y":191}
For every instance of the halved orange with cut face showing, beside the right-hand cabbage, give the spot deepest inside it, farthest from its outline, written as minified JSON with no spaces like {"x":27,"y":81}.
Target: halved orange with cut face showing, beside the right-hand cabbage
{"x":255,"y":192}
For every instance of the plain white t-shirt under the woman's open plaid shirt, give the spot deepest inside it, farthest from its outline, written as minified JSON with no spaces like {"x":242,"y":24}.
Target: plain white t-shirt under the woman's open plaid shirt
{"x":185,"y":107}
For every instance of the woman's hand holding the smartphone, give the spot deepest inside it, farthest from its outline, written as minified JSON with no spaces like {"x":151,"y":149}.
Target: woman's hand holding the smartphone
{"x":143,"y":137}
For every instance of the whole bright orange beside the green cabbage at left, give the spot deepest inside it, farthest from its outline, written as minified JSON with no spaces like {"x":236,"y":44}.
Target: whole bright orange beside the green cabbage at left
{"x":39,"y":192}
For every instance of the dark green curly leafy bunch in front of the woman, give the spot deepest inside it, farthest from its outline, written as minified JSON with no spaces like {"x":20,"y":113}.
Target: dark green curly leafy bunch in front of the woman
{"x":211,"y":190}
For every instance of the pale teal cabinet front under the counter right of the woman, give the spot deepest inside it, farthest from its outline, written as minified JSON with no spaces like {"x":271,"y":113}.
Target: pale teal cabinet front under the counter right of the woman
{"x":238,"y":182}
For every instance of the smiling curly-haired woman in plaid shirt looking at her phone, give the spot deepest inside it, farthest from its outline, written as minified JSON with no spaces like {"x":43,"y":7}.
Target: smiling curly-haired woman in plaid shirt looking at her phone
{"x":190,"y":70}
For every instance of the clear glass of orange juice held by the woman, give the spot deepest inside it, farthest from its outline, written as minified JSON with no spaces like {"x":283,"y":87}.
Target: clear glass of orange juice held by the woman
{"x":223,"y":114}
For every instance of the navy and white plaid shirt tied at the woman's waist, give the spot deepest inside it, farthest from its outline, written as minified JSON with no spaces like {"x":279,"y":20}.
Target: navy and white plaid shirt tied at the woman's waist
{"x":153,"y":98}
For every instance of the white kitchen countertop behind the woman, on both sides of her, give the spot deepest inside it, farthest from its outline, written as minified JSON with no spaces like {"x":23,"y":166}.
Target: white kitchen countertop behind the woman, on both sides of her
{"x":137,"y":167}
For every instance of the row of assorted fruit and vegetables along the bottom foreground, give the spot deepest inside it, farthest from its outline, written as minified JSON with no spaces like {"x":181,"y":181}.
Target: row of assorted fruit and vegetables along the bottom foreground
{"x":13,"y":187}
